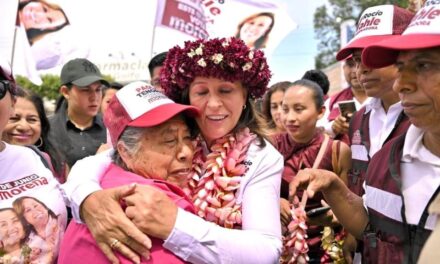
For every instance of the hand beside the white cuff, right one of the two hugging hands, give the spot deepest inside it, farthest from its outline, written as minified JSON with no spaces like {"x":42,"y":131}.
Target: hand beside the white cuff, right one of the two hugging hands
{"x":152,"y":211}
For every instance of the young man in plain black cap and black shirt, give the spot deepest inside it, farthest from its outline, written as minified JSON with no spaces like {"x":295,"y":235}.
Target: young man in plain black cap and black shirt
{"x":76,"y":127}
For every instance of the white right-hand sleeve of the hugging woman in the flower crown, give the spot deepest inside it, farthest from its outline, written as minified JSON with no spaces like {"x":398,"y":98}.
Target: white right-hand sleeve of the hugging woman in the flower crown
{"x":198,"y":241}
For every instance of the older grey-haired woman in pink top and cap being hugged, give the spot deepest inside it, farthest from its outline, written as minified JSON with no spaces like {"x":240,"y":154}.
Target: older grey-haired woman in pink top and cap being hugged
{"x":141,"y":138}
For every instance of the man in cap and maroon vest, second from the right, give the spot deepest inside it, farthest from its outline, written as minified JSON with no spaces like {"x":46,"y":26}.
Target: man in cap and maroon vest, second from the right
{"x":382,"y":118}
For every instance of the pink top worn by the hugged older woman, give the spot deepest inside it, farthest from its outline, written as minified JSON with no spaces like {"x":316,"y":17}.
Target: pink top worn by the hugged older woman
{"x":80,"y":247}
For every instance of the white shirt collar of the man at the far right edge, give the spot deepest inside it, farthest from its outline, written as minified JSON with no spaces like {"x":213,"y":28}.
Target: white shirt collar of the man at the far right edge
{"x":413,"y":147}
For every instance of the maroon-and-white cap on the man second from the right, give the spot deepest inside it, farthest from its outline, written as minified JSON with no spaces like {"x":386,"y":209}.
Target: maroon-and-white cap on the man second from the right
{"x":377,"y":23}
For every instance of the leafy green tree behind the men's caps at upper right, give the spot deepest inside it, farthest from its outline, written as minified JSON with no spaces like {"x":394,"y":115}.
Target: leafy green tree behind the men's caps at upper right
{"x":327,"y":20}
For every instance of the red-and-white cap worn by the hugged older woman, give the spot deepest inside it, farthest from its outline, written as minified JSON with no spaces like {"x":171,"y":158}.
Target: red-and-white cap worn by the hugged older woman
{"x":140,"y":105}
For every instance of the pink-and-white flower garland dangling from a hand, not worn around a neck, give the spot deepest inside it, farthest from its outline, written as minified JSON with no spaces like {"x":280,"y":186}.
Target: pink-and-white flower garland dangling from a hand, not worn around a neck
{"x":295,"y":246}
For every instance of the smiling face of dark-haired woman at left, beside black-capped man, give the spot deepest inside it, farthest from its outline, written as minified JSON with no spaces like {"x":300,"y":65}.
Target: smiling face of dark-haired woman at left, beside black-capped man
{"x":24,"y":127}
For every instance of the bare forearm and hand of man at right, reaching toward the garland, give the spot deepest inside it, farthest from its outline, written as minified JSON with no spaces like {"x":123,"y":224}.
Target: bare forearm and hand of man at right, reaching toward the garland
{"x":347,"y":206}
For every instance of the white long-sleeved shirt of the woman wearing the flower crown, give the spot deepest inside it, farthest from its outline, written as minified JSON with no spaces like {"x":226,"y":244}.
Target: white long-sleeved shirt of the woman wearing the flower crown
{"x":199,"y":241}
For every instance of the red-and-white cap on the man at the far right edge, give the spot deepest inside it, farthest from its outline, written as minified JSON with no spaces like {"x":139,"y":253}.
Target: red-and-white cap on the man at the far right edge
{"x":423,"y":32}
